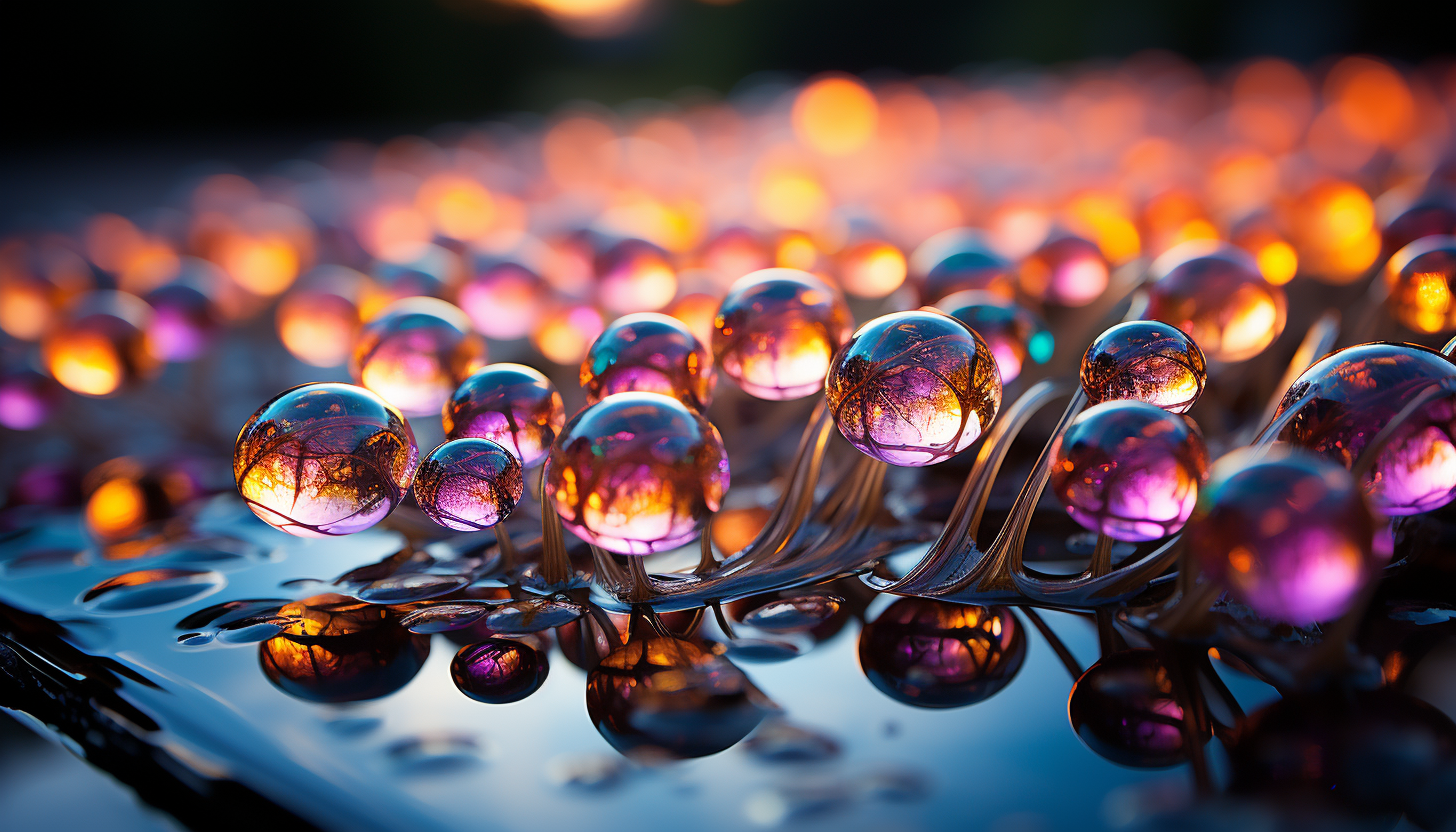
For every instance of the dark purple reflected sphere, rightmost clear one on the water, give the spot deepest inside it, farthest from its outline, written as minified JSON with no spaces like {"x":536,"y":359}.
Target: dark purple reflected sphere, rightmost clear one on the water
{"x":1123,"y":709}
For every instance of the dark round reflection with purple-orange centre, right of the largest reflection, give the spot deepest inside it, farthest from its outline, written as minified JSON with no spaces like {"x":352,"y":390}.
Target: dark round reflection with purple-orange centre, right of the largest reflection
{"x":937,"y":655}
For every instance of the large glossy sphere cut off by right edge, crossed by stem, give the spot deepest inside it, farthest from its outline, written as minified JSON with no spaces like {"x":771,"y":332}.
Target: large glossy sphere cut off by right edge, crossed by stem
{"x":1349,"y":397}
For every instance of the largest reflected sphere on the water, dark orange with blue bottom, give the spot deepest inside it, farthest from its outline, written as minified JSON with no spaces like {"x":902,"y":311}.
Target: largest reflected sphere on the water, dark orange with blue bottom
{"x":672,"y":699}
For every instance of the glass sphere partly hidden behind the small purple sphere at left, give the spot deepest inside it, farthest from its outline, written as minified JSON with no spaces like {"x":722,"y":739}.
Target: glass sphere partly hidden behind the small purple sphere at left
{"x":512,"y":406}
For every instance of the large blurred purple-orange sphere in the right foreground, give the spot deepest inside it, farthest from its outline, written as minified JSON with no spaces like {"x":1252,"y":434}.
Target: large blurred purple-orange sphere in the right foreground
{"x":1288,"y":533}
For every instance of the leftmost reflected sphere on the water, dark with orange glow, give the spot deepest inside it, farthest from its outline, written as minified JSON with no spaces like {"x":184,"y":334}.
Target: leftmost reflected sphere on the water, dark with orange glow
{"x":337,"y":649}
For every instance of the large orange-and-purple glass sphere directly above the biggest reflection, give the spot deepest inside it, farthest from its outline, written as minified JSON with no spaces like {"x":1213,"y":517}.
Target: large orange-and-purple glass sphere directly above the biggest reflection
{"x":637,"y":474}
